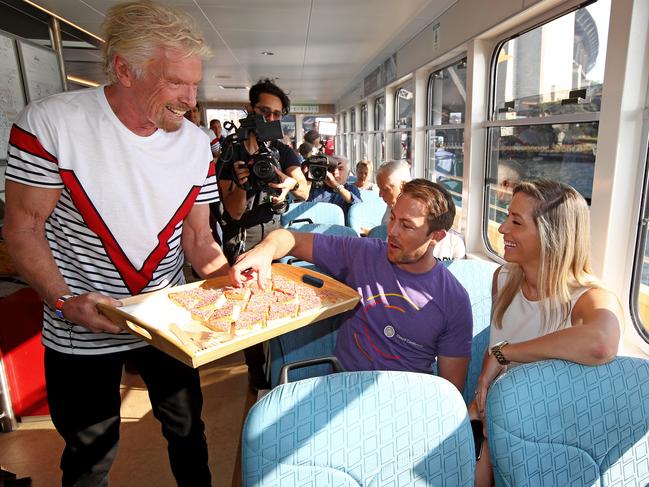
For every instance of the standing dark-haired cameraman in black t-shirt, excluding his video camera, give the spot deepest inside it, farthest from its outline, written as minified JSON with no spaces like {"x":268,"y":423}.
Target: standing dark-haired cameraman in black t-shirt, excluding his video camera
{"x":249,"y":215}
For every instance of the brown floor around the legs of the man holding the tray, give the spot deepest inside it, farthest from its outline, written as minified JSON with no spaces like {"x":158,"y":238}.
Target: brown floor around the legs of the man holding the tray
{"x":34,"y":449}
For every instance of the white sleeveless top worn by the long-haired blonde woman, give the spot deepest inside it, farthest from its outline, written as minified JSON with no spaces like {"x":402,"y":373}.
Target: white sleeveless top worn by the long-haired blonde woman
{"x":522,"y":320}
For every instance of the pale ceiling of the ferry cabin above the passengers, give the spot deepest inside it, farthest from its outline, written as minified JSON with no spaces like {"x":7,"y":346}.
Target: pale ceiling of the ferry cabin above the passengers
{"x":321,"y":46}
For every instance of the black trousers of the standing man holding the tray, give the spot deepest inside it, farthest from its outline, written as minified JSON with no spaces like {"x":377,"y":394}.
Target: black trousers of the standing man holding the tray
{"x":84,"y":400}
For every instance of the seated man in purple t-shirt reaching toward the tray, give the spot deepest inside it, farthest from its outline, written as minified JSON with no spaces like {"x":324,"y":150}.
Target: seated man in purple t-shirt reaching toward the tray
{"x":412,"y":310}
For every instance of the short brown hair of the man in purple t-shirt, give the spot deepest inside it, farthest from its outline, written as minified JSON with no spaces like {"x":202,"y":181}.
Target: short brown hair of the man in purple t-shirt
{"x":438,"y":201}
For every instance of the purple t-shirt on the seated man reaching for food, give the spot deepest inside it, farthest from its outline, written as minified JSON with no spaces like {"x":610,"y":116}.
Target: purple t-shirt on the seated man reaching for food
{"x":404,"y":320}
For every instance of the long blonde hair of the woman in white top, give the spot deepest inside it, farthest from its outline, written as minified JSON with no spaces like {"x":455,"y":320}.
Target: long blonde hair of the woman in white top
{"x":563,"y":221}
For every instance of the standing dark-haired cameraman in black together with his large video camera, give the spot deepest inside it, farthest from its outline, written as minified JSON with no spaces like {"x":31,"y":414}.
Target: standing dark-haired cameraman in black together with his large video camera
{"x":252,"y":206}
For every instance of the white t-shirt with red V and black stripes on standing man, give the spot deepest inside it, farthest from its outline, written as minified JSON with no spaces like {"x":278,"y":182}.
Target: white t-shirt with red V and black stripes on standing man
{"x":117,"y":226}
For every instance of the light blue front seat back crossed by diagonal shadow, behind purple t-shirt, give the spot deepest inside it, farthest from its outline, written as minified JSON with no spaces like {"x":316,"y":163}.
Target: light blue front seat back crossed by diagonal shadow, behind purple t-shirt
{"x":359,"y":428}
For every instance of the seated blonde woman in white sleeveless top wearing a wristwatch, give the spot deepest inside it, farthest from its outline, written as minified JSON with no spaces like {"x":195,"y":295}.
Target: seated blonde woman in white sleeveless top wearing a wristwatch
{"x":548,"y":304}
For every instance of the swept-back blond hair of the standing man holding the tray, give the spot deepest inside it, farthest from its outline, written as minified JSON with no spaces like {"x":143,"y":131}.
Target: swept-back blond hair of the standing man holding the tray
{"x":136,"y":30}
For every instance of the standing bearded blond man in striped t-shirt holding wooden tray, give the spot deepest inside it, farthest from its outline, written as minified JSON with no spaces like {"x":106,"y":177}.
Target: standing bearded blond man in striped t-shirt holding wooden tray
{"x":107,"y":191}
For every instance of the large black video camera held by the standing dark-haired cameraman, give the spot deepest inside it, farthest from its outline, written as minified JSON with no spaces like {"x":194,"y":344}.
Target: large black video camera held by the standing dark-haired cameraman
{"x":263,"y":163}
